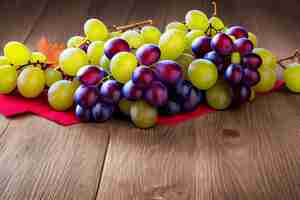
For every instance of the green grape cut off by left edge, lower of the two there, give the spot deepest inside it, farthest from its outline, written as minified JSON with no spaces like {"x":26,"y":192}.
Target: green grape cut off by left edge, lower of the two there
{"x":8,"y":79}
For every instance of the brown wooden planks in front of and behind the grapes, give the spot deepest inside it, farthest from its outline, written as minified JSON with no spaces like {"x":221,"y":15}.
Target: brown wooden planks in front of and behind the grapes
{"x":250,"y":153}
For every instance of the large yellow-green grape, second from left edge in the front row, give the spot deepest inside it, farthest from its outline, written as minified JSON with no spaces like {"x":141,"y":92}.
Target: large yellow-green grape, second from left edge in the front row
{"x":31,"y":82}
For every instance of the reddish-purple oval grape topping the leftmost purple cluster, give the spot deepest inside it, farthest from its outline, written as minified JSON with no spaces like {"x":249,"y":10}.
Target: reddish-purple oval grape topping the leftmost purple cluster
{"x":91,"y":75}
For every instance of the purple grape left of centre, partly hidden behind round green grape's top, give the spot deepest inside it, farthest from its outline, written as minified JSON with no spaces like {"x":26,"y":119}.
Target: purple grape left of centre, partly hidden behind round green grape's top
{"x":114,"y":46}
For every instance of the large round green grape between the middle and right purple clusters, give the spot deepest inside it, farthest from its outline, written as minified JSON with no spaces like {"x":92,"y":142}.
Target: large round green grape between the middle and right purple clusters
{"x":203,"y":74}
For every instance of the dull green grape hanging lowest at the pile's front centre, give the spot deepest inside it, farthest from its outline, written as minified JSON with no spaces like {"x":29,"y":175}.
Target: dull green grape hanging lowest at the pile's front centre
{"x":143,"y":115}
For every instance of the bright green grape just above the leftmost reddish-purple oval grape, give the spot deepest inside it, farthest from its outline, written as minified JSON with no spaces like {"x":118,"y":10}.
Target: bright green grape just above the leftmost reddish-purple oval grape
{"x":71,"y":60}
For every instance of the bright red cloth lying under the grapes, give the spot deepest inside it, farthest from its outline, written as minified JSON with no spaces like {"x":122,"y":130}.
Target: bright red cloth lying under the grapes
{"x":13,"y":105}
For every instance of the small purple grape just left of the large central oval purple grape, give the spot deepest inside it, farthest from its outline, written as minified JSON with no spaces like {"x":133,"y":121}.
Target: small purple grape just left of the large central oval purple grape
{"x":143,"y":76}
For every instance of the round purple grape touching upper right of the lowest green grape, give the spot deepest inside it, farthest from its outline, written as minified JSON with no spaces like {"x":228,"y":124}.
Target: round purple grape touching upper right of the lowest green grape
{"x":156,"y":94}
